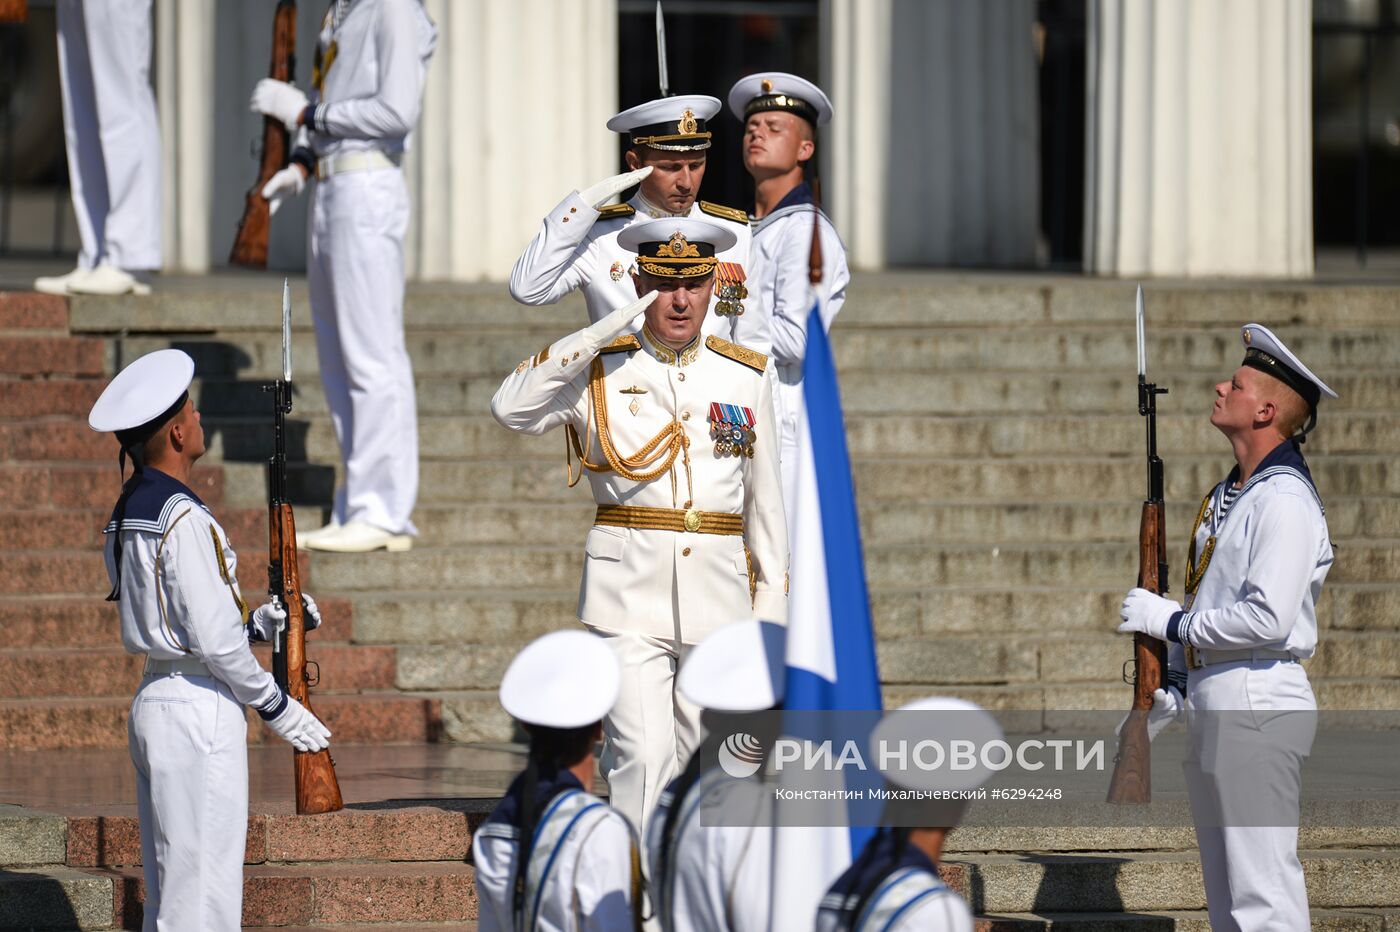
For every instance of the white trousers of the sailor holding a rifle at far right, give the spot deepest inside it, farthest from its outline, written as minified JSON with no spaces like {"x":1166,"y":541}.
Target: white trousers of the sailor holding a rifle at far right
{"x":1254,"y":878}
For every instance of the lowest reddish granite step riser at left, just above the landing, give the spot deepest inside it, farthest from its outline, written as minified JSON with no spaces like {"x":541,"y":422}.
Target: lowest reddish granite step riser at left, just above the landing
{"x":383,"y":717}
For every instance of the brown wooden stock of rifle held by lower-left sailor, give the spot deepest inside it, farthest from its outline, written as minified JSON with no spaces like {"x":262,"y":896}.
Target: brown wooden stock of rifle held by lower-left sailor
{"x":318,"y":790}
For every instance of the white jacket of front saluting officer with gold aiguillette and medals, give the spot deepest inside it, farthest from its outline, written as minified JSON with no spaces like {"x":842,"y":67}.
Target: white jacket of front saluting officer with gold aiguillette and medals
{"x":667,"y":584}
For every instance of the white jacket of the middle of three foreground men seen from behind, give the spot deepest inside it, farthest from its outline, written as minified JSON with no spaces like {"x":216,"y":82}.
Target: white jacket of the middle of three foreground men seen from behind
{"x":713,"y":878}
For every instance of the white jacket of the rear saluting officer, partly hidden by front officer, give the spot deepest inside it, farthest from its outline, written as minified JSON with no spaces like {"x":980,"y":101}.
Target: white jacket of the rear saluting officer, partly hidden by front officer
{"x":577,"y":248}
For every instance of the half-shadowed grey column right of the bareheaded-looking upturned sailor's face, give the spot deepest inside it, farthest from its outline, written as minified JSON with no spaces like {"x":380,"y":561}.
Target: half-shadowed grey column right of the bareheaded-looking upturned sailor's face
{"x":933,"y":156}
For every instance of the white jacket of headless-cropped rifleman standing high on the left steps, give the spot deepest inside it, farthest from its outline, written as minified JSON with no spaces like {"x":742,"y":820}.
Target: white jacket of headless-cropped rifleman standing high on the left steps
{"x":369,"y":83}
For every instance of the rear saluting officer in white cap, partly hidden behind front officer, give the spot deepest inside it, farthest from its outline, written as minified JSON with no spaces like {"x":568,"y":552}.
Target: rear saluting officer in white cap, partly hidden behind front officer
{"x":577,"y":246}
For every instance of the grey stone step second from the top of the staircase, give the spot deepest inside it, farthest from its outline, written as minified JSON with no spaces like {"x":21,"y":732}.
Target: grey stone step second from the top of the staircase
{"x":255,"y":355}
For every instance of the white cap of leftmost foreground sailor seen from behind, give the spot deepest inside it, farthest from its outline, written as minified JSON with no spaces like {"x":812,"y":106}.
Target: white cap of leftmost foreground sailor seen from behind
{"x":566,"y":679}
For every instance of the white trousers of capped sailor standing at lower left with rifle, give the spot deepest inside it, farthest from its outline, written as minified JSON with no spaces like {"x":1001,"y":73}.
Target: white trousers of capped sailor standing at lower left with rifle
{"x":190,"y":742}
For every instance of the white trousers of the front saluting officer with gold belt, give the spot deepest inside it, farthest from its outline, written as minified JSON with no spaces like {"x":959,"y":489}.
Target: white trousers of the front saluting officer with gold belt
{"x":652,"y":731}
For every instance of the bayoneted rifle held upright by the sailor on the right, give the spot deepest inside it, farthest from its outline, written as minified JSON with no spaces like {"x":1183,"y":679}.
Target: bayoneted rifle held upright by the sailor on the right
{"x":1133,"y":766}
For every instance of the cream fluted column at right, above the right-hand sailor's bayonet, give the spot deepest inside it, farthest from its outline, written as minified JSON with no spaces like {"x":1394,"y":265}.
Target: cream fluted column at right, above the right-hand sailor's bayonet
{"x":1199,"y":150}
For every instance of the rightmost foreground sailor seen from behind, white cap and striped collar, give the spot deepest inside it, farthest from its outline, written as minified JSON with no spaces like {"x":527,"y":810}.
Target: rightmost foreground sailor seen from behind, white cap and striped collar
{"x":894,"y":884}
